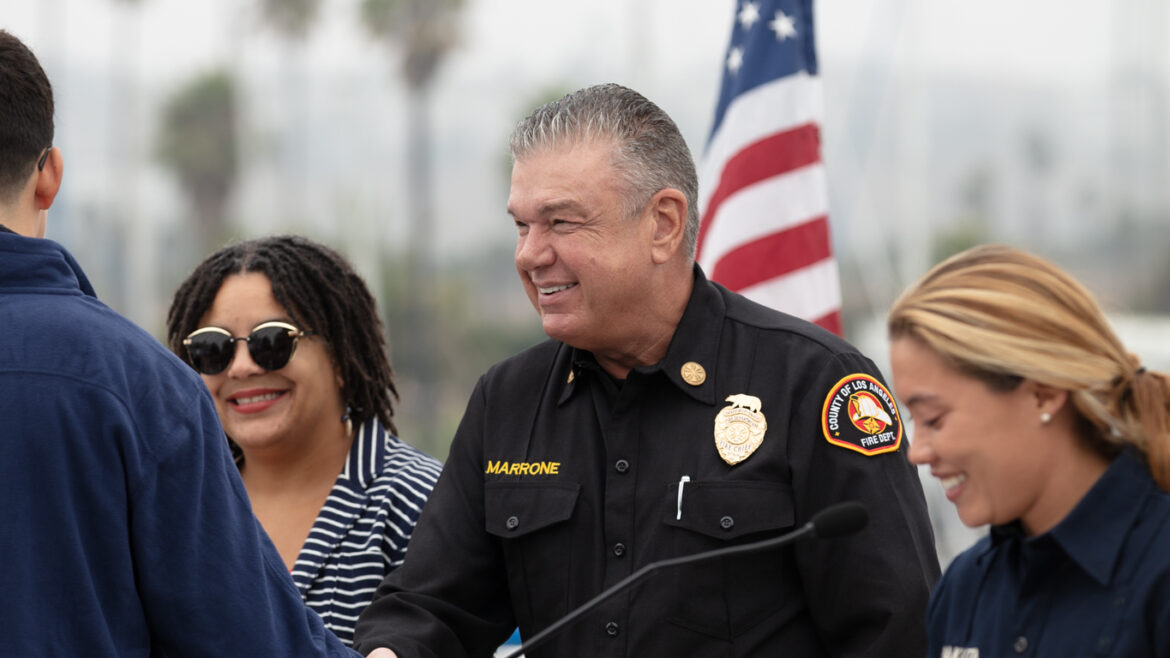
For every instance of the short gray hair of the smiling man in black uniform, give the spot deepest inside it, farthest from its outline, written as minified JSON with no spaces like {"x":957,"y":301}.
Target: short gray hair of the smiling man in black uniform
{"x":649,"y":152}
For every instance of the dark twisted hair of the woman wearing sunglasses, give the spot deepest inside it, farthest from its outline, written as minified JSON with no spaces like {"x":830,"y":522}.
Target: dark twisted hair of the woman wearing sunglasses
{"x":322,"y":293}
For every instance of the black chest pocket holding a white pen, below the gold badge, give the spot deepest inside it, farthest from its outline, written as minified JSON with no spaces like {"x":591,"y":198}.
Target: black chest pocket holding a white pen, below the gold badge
{"x":728,"y":597}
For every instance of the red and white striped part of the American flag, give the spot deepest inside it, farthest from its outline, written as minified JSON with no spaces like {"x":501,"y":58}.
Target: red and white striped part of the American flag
{"x":765,"y":203}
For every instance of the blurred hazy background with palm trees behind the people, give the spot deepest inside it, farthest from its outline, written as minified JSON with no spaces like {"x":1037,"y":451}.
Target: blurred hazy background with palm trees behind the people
{"x":380,"y":127}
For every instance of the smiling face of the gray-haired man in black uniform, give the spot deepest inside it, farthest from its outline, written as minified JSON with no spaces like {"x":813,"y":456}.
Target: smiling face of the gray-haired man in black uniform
{"x":587,"y":265}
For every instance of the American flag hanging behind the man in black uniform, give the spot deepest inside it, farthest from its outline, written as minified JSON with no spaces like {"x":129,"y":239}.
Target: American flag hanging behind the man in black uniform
{"x":763,"y":196}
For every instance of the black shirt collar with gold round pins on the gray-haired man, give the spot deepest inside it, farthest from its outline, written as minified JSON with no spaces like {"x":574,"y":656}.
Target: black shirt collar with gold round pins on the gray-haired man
{"x":696,"y":342}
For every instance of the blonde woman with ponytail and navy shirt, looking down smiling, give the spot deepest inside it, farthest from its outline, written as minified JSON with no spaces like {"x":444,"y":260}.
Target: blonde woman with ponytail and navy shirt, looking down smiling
{"x":1038,"y":422}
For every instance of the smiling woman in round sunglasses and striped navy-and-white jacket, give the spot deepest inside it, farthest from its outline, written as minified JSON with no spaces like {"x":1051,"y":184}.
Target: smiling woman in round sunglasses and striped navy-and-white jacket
{"x":287,"y":338}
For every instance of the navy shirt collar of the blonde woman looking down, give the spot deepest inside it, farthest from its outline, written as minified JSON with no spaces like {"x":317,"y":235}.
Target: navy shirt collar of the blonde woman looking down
{"x":1095,"y":533}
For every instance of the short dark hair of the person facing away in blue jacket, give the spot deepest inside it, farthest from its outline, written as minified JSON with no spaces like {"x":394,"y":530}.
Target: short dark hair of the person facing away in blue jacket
{"x":26,"y":114}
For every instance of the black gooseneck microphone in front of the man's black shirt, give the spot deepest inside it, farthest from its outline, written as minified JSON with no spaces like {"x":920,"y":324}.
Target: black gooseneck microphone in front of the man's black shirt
{"x":835,"y":522}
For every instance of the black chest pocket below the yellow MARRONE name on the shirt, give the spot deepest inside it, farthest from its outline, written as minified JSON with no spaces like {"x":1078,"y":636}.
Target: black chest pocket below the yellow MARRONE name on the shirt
{"x":532,"y":520}
